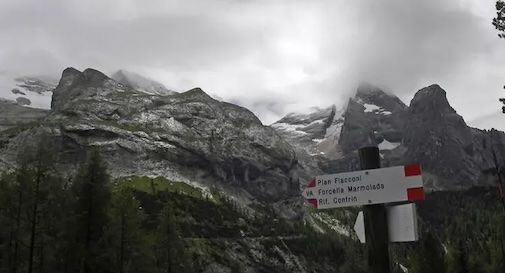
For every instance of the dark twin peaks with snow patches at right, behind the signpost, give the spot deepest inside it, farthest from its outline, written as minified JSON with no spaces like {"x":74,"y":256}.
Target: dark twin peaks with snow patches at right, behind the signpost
{"x":428,"y":131}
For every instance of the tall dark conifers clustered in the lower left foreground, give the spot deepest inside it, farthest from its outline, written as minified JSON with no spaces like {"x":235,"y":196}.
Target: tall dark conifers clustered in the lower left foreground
{"x":53,"y":223}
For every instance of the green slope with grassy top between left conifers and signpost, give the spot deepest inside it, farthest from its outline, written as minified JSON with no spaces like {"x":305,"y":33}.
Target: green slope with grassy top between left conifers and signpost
{"x":216,"y":230}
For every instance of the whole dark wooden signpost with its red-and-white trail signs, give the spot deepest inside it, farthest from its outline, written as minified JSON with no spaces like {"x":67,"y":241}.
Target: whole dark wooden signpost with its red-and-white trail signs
{"x":372,"y":187}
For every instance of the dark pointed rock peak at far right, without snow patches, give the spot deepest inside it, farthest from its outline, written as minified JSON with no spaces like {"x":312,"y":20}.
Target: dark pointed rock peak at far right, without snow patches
{"x":438,"y":138}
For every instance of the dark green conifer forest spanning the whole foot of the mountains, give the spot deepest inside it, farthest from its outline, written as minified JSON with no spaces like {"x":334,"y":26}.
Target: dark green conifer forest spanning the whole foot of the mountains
{"x":90,"y":222}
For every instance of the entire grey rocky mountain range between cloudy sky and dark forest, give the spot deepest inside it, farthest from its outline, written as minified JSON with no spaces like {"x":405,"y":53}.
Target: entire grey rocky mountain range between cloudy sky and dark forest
{"x":171,"y":134}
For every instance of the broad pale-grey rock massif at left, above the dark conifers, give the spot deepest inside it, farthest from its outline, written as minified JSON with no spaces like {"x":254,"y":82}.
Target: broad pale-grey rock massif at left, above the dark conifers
{"x":185,"y":137}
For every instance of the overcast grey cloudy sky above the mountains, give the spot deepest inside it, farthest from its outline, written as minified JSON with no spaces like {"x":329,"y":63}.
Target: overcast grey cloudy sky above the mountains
{"x":271,"y":56}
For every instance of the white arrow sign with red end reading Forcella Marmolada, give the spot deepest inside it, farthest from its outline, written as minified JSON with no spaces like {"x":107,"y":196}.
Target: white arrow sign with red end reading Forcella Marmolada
{"x":366,"y":187}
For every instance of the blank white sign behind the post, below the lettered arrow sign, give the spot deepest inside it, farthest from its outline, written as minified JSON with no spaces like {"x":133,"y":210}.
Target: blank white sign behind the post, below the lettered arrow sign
{"x":402,"y":224}
